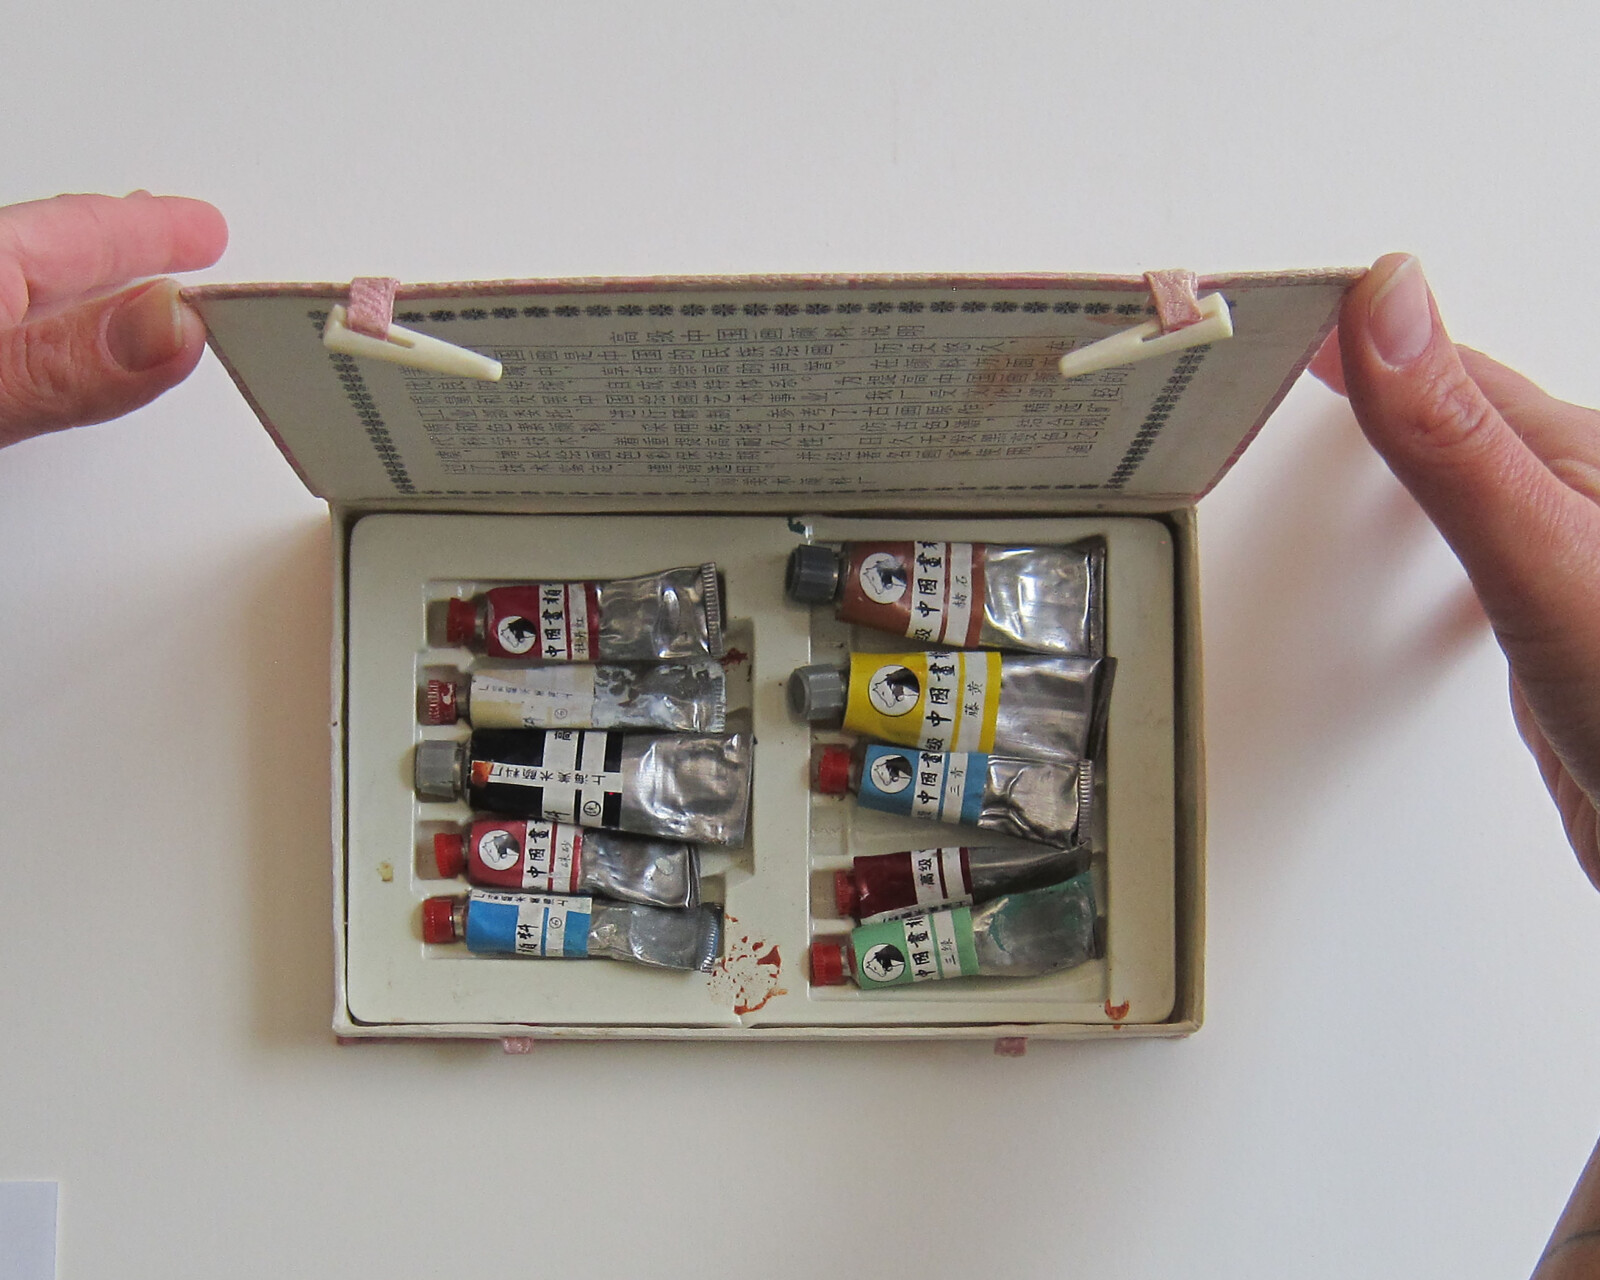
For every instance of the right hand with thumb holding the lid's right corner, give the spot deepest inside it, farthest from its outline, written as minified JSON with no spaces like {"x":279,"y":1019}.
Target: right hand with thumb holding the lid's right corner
{"x":1511,"y":478}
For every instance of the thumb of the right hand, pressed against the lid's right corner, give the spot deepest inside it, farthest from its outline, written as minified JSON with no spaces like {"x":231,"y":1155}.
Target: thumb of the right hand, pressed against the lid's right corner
{"x":1529,"y":542}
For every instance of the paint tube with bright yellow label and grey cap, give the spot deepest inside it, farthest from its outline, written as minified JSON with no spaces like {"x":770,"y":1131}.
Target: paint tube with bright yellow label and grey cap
{"x":951,"y":700}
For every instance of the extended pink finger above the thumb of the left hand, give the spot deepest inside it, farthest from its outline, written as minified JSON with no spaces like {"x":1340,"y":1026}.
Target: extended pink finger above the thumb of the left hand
{"x":71,"y":247}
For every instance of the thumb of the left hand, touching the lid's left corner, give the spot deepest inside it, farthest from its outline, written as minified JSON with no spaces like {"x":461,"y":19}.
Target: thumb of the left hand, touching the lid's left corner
{"x":98,"y":361}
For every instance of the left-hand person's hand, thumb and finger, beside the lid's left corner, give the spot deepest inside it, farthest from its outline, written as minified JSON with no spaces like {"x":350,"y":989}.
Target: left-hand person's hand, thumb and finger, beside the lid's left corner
{"x":71,"y":354}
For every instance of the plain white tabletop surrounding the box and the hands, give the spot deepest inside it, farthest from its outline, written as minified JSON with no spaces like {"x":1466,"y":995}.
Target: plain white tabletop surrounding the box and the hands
{"x":1398,"y":1073}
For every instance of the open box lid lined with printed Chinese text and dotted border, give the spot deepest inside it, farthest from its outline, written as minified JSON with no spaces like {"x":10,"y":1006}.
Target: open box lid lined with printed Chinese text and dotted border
{"x":770,"y":393}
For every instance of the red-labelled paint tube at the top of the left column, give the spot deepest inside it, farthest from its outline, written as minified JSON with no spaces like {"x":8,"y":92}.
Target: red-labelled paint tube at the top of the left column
{"x":666,"y":615}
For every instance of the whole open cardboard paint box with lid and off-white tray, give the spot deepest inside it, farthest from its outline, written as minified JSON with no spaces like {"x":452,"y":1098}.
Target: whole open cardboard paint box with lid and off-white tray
{"x":652,"y":423}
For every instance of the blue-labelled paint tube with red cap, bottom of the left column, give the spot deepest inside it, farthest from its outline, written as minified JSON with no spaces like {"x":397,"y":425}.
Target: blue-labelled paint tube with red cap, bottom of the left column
{"x":575,"y":929}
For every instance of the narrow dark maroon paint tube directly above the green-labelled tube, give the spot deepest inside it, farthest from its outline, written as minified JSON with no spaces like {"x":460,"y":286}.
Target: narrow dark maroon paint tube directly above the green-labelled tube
{"x":954,"y":876}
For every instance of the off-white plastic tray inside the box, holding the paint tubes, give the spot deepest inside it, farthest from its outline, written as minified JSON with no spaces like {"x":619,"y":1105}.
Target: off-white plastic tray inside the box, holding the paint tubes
{"x":777,"y":890}
